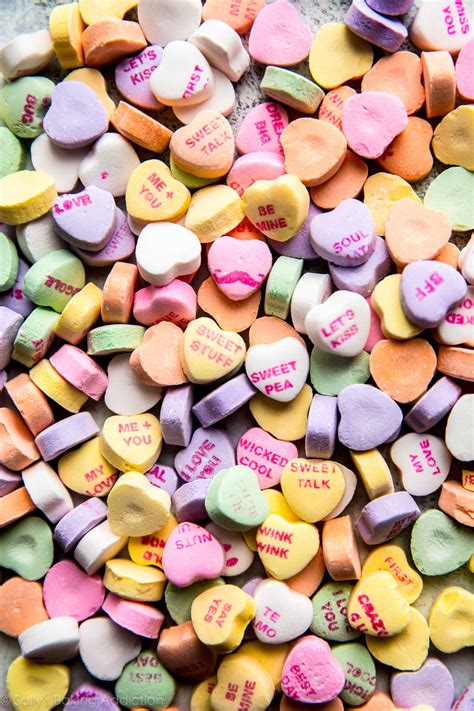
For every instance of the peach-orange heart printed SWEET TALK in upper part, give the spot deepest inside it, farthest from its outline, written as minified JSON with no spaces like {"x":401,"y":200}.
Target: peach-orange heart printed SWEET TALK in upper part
{"x":205,"y":147}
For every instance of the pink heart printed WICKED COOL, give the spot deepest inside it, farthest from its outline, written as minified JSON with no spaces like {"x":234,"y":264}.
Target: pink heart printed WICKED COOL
{"x":265,"y":455}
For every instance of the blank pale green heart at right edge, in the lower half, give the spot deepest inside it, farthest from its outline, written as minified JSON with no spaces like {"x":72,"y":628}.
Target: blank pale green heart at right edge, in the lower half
{"x":439,"y":545}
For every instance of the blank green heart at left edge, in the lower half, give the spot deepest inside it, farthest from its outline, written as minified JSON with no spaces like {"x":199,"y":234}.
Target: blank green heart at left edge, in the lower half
{"x":27,"y":548}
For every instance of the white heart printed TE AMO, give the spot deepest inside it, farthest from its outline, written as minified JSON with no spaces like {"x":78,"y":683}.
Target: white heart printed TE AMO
{"x":281,"y":613}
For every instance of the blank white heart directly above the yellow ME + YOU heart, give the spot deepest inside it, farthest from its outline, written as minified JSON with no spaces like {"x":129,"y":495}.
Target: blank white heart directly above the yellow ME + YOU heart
{"x":125,"y":394}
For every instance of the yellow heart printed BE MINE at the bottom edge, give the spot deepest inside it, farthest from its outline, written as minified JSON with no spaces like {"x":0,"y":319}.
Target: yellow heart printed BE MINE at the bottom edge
{"x":242,"y":683}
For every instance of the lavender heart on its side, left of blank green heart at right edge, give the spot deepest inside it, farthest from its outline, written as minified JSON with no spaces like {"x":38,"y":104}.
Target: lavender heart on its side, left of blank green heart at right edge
{"x":384,"y":518}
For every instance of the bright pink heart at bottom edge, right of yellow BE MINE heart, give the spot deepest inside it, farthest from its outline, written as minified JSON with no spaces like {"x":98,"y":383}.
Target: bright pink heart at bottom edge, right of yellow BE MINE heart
{"x":311,"y":673}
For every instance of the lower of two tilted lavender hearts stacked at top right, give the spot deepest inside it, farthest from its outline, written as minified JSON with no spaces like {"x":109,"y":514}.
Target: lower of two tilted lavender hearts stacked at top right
{"x":384,"y":32}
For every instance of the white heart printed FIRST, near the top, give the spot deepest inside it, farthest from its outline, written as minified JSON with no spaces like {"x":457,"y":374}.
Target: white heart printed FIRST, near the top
{"x":183,"y":76}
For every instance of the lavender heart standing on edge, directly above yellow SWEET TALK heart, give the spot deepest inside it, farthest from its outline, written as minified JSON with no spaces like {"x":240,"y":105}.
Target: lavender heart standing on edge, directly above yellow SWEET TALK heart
{"x":321,"y":433}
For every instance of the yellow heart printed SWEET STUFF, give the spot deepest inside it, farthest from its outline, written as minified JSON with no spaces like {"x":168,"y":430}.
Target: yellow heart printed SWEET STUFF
{"x":209,"y":353}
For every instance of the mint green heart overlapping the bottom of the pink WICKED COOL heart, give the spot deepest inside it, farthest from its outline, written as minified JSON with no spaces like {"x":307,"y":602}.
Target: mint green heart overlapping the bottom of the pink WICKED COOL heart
{"x":235,"y":501}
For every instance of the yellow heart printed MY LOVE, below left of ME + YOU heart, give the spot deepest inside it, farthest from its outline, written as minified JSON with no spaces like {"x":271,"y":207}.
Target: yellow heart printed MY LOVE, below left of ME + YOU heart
{"x":86,"y":471}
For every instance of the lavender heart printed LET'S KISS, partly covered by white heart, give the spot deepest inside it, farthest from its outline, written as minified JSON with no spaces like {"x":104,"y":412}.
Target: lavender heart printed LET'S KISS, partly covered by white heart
{"x":132,"y":77}
